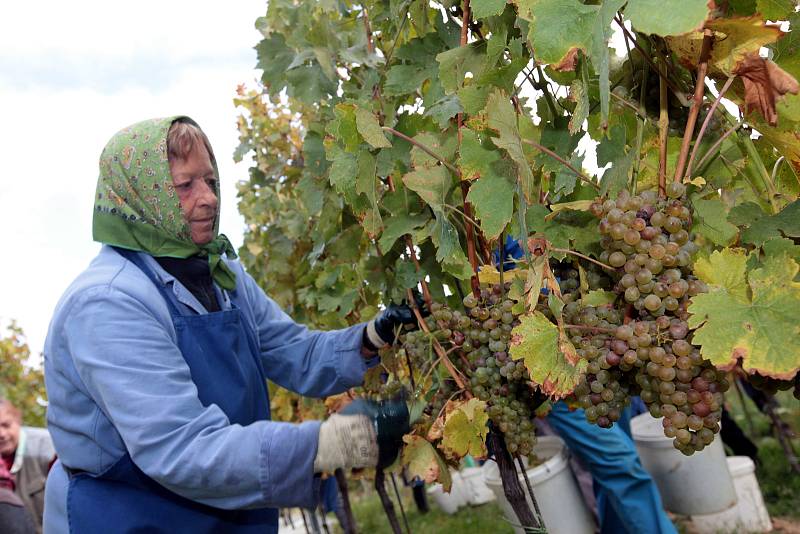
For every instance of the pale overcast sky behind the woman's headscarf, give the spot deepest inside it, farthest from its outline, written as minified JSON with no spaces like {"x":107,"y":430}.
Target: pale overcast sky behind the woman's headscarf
{"x":71,"y":75}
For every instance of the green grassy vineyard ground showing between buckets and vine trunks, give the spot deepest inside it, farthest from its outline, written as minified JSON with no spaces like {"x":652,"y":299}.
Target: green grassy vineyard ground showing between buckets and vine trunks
{"x":781,"y":489}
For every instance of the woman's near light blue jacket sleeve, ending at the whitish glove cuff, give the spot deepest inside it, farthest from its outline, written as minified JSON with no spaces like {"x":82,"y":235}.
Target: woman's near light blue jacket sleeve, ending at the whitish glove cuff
{"x":131,"y":366}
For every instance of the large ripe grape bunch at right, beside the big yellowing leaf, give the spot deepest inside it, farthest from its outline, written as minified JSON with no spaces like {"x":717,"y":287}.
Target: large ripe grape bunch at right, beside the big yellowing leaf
{"x":647,"y":240}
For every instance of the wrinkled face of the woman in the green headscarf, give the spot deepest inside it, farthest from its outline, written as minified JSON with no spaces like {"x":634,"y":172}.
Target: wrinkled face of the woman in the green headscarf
{"x":196,"y":185}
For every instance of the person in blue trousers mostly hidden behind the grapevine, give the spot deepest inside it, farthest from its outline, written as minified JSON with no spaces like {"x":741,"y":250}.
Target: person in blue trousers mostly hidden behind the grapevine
{"x":627,"y":497}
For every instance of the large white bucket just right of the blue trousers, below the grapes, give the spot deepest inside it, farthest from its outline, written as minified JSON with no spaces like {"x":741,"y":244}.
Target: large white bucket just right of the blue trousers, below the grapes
{"x":689,"y":485}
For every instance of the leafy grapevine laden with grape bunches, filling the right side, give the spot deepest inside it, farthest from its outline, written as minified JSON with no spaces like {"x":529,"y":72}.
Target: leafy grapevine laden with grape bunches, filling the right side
{"x":398,"y":145}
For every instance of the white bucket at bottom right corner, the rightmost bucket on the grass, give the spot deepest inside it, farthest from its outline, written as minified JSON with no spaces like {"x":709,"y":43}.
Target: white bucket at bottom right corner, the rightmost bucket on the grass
{"x":748,"y":515}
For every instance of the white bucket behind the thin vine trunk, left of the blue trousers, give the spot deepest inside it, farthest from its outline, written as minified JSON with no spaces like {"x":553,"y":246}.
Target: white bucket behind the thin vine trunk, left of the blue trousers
{"x":560,"y":500}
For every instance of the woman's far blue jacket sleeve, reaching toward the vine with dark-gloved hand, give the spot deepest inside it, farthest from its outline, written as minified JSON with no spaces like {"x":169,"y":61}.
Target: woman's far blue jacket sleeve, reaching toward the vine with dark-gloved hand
{"x":310,"y":362}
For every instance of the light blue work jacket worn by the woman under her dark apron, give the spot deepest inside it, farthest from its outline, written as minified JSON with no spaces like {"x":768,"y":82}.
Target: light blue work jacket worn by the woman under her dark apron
{"x":117,"y":382}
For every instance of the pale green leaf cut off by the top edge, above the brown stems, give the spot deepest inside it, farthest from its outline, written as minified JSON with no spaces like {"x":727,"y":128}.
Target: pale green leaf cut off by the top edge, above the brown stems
{"x":667,"y":17}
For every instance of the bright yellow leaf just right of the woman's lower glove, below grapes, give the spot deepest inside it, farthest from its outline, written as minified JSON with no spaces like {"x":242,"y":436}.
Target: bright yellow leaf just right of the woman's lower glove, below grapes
{"x":465,"y":430}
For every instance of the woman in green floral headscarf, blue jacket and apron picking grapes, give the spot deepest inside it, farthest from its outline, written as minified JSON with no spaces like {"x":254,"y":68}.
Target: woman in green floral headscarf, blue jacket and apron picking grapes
{"x":157,"y":357}
